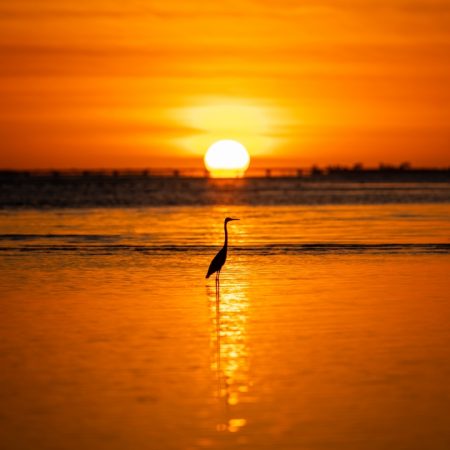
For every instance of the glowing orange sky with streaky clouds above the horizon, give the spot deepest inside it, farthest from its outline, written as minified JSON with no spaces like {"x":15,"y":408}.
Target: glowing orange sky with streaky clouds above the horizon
{"x":104,"y":84}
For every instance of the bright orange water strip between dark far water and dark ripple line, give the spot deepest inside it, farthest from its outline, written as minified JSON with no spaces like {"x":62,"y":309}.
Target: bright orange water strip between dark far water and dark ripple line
{"x":198,"y":227}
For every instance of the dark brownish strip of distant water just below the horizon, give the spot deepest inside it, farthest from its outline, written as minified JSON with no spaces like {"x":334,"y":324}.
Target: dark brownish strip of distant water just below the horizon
{"x":128,"y":191}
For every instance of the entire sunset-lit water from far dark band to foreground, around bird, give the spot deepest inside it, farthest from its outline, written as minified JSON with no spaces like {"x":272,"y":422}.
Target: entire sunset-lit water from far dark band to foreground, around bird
{"x":329,"y":329}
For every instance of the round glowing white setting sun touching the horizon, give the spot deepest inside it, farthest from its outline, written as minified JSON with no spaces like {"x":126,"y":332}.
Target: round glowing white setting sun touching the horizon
{"x":227,"y":158}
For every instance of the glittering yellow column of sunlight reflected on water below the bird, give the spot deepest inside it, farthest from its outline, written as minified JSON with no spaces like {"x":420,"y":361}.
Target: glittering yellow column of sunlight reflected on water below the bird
{"x":229,"y":307}
